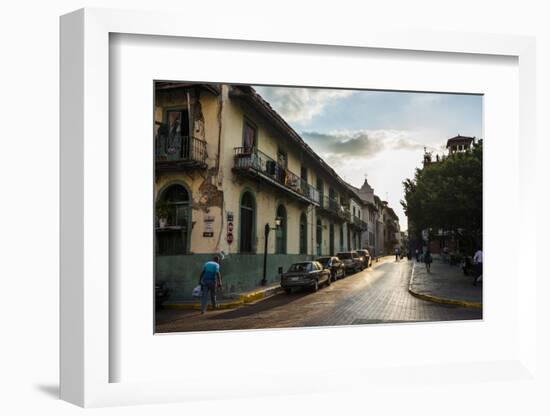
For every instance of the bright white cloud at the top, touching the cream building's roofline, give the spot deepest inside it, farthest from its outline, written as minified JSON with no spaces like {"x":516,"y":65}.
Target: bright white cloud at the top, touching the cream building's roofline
{"x":298,"y":105}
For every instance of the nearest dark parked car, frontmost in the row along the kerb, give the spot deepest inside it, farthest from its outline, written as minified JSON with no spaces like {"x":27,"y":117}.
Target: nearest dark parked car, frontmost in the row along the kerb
{"x":310,"y":274}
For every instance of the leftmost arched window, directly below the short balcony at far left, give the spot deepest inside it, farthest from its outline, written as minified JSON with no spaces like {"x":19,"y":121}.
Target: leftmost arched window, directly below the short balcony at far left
{"x":173,"y":216}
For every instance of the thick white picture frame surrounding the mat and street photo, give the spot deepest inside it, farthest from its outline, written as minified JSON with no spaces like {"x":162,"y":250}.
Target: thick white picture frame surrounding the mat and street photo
{"x":85,"y":211}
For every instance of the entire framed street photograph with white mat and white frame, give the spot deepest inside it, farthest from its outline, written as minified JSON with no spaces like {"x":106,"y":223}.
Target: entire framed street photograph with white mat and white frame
{"x":279,"y":202}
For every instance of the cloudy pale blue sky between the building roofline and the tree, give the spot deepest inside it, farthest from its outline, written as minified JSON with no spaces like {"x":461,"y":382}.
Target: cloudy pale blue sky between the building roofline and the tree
{"x":377,"y":135}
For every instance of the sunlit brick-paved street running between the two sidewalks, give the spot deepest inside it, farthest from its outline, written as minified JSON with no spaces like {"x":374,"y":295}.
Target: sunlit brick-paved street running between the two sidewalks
{"x":376,"y":295}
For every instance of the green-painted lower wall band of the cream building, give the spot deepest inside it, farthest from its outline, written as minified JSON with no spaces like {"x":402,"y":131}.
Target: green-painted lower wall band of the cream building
{"x":240,"y":272}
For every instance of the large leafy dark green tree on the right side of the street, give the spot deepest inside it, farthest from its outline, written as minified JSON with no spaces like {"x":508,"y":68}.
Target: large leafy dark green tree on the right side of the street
{"x":447,"y":195}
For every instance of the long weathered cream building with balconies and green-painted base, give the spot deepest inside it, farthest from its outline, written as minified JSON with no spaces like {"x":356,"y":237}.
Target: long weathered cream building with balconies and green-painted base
{"x":233,"y":178}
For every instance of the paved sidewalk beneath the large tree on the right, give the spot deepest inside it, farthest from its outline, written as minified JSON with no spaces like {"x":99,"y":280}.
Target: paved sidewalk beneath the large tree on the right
{"x":445,"y":284}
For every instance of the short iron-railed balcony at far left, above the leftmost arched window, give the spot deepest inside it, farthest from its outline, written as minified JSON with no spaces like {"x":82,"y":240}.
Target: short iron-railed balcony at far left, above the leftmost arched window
{"x":180,"y":153}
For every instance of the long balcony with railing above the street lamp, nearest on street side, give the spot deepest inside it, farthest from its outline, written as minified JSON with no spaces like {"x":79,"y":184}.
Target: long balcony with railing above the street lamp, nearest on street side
{"x":257,"y":165}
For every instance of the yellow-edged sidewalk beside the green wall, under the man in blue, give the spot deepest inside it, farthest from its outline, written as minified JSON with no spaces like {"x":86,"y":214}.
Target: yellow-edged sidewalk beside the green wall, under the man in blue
{"x":228,"y":301}
